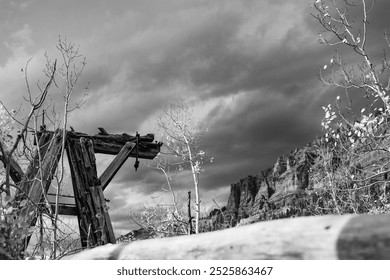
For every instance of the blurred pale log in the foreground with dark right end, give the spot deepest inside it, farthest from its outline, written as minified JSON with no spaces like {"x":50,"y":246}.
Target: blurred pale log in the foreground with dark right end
{"x":324,"y":237}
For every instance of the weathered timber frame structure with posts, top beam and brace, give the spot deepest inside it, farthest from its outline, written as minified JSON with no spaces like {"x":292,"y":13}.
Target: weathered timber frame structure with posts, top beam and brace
{"x":90,"y":205}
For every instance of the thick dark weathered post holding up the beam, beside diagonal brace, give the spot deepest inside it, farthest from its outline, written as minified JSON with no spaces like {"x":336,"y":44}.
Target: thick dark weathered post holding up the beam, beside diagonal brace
{"x":94,"y":221}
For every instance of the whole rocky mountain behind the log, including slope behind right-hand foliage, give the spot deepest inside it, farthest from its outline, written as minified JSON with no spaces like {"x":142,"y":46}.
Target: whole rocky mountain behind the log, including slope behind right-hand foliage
{"x":294,"y":186}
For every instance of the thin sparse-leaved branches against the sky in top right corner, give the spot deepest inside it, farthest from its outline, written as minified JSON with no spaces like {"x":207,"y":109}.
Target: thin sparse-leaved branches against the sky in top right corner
{"x":366,"y":73}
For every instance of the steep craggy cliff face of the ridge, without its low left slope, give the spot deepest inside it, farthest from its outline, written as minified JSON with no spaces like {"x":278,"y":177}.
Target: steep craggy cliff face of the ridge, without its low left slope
{"x":275,"y":189}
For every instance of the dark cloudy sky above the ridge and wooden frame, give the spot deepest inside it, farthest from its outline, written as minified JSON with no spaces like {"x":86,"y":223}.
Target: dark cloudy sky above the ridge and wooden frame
{"x":249,"y":68}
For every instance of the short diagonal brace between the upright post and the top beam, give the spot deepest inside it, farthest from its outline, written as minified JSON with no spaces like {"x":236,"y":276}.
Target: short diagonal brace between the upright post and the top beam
{"x":116,"y":164}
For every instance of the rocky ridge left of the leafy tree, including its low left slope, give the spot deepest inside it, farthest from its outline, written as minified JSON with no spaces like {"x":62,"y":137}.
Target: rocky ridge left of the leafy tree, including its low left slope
{"x":277,"y":192}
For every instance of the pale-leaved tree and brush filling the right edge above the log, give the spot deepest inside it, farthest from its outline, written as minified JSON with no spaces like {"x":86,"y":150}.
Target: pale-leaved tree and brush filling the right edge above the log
{"x":354,"y":155}
